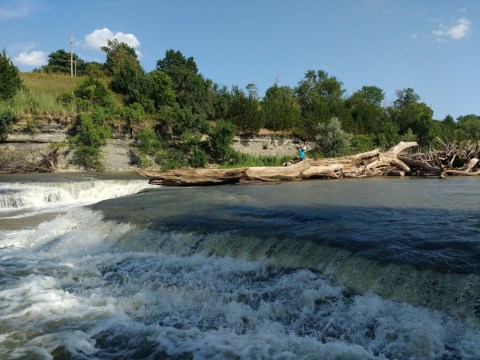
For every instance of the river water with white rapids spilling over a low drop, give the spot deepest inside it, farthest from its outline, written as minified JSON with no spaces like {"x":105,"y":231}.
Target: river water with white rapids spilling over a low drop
{"x":108,"y":267}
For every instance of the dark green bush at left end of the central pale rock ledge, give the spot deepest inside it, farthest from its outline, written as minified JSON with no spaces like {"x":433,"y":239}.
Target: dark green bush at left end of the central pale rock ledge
{"x":221,"y":140}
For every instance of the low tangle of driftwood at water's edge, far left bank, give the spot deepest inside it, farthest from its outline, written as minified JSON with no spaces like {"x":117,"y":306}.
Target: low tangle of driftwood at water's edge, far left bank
{"x":12,"y":161}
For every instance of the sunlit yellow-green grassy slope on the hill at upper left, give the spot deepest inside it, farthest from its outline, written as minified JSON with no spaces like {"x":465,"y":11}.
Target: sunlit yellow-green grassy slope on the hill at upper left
{"x":40,"y":93}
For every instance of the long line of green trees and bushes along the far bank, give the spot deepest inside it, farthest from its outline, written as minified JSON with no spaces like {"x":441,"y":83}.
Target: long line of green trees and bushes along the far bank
{"x":180,"y":118}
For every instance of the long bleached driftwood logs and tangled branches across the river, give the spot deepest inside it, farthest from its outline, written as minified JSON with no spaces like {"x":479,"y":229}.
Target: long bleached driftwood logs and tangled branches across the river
{"x":449,"y":161}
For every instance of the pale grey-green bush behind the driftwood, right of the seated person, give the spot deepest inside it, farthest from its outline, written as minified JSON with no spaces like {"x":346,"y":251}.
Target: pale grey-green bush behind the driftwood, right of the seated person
{"x":331,"y":139}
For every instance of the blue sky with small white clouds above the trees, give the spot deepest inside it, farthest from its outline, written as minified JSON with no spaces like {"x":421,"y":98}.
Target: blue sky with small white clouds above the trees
{"x":432,"y":46}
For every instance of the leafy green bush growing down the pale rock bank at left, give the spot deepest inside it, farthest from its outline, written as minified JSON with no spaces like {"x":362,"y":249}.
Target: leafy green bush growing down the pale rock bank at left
{"x":90,"y":137}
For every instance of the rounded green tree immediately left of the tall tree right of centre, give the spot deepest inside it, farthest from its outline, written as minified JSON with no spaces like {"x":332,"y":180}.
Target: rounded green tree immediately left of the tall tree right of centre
{"x":282,"y":111}
